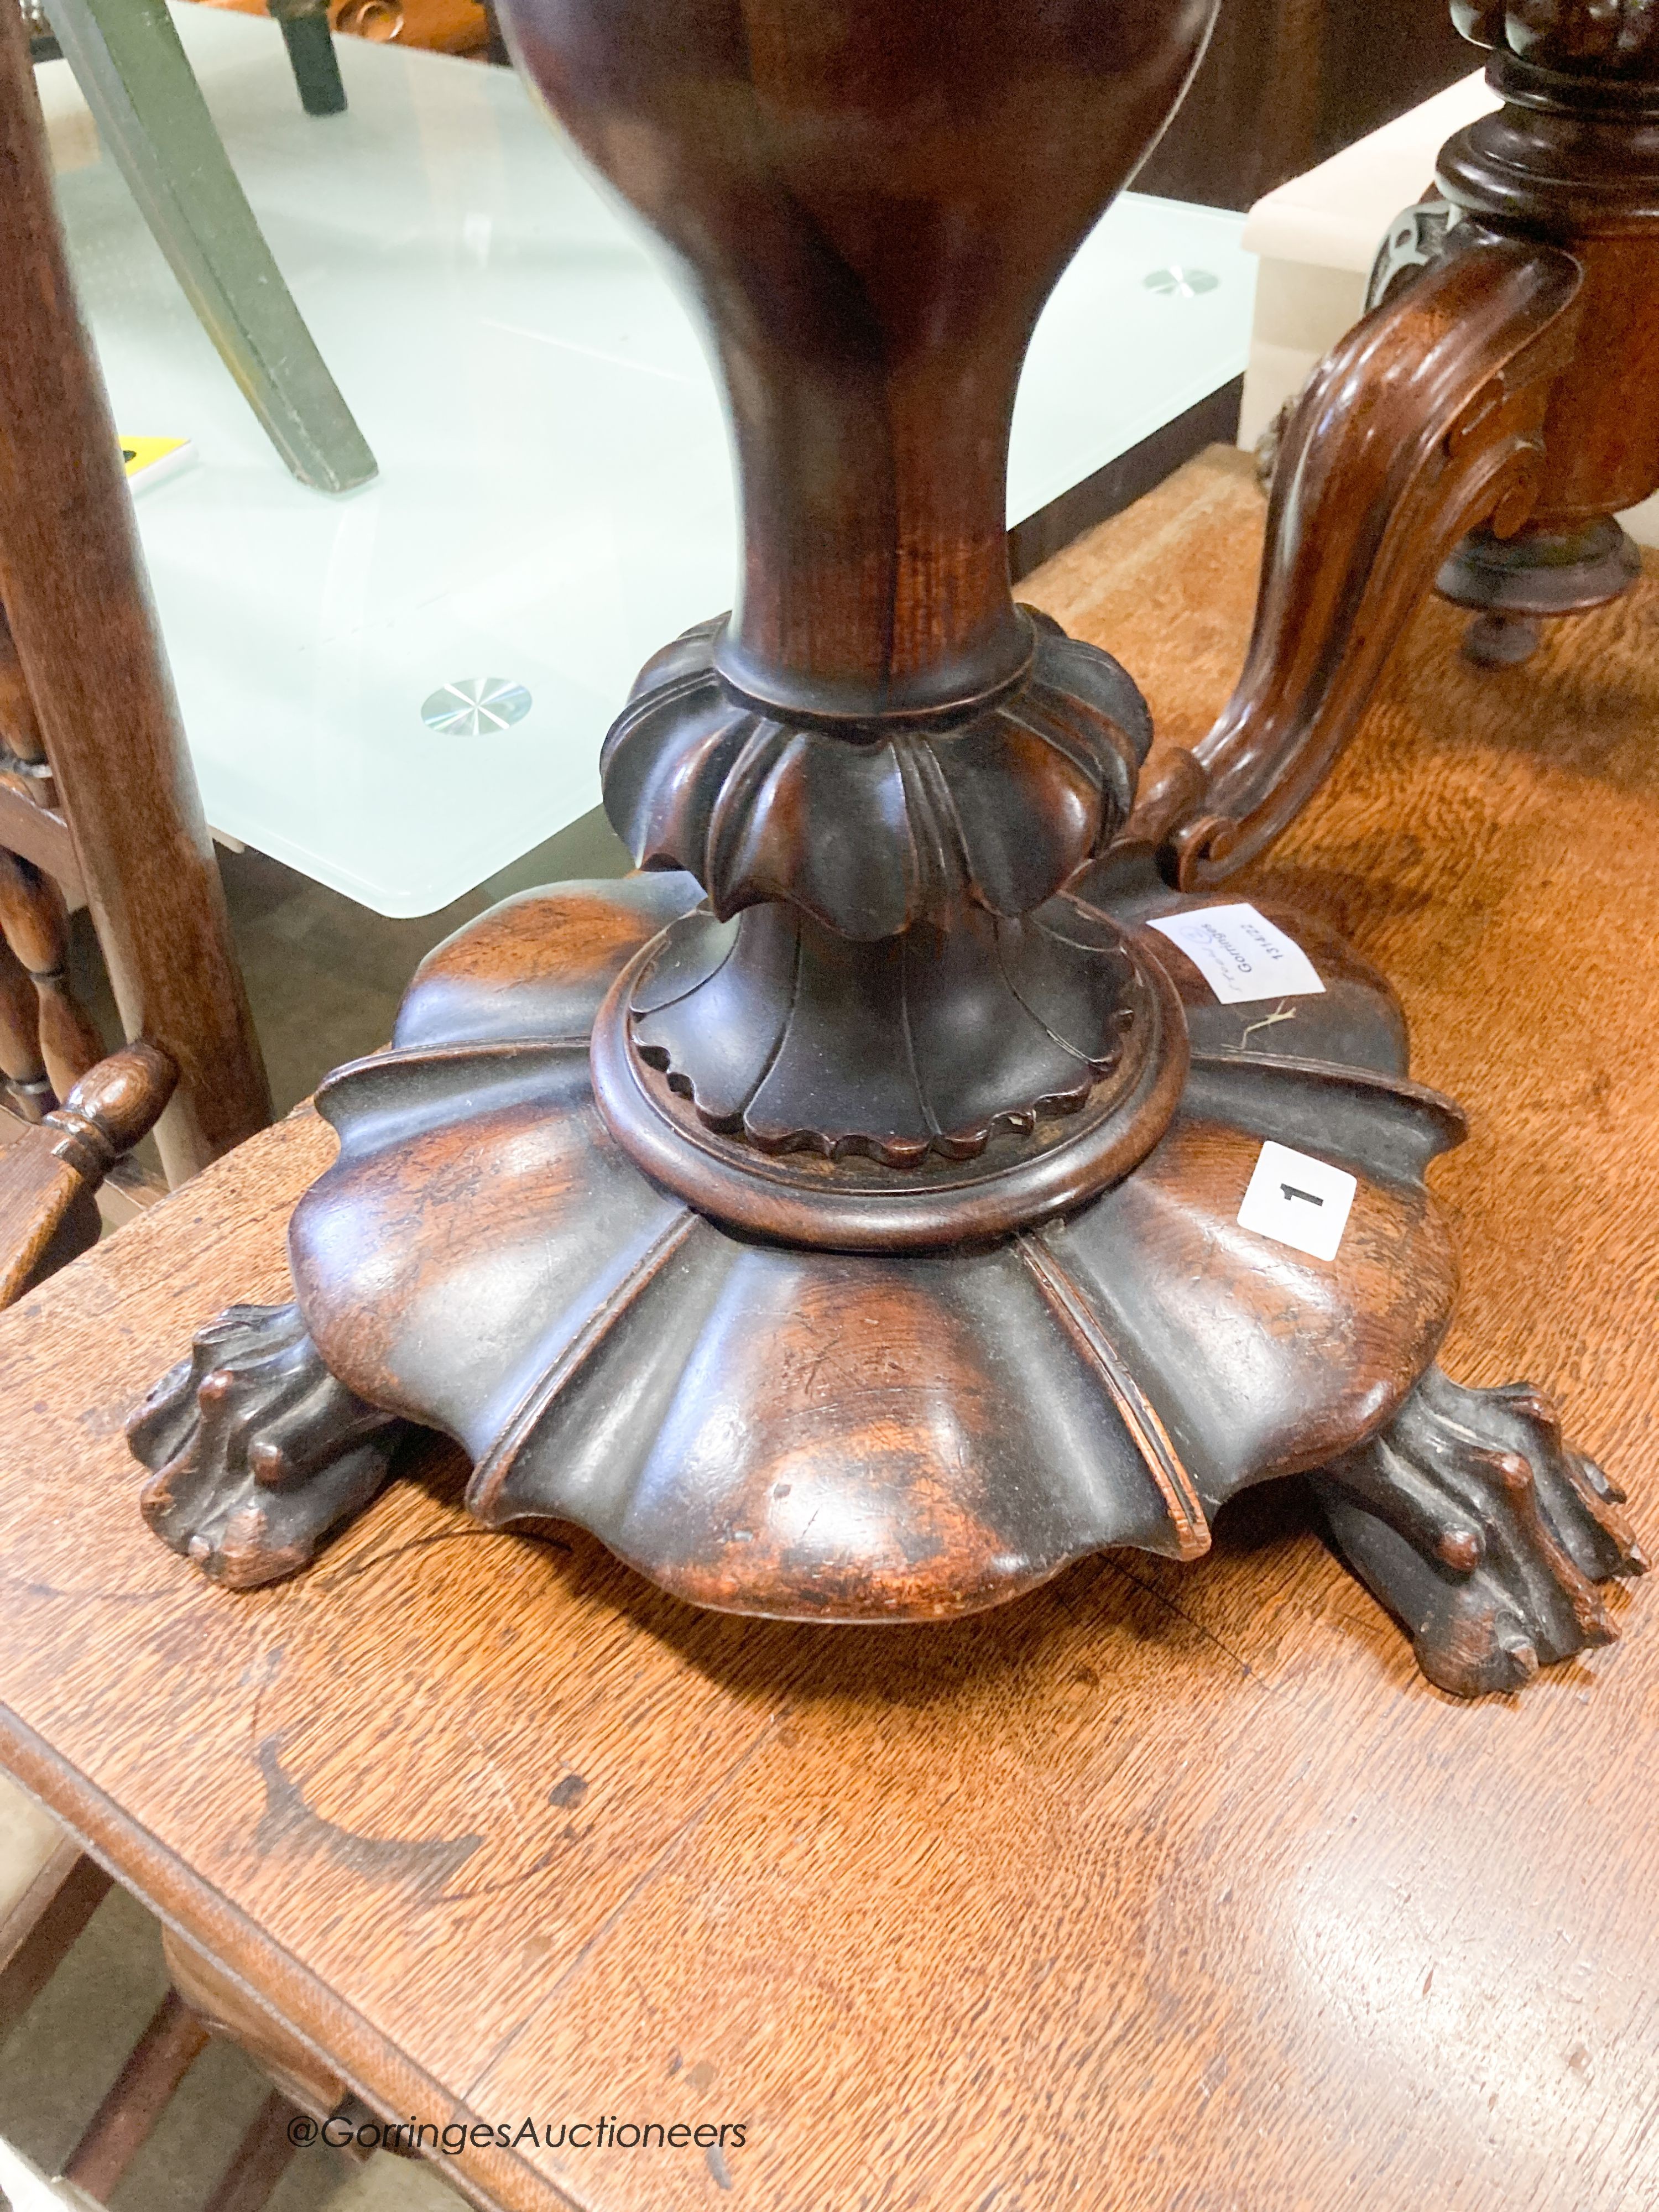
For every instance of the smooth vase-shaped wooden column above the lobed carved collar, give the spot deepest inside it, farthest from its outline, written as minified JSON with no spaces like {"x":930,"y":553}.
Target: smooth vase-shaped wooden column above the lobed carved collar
{"x":870,"y":207}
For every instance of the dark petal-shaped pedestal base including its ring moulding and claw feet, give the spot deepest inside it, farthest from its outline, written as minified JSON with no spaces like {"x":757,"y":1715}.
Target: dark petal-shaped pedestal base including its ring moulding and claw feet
{"x":873,"y":1437}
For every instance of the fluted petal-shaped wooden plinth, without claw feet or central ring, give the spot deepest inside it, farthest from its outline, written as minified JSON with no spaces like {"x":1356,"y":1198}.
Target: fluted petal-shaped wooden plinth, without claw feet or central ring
{"x":859,"y":1437}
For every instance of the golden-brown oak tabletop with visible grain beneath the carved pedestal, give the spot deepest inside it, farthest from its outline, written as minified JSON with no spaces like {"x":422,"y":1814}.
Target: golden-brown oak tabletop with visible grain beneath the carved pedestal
{"x":1165,"y":1890}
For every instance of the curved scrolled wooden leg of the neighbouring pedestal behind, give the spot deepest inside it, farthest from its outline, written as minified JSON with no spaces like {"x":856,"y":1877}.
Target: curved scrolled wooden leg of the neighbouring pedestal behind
{"x":1426,"y":421}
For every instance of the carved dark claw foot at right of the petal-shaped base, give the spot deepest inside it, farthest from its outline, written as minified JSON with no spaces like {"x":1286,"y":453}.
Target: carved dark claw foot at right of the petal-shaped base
{"x":1481,"y":1532}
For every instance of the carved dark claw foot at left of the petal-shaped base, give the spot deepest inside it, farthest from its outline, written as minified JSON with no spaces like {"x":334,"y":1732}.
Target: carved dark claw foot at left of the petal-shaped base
{"x":255,"y":1450}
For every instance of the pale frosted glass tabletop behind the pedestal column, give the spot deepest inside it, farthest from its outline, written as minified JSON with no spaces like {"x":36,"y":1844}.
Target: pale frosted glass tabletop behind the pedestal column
{"x":554,"y":497}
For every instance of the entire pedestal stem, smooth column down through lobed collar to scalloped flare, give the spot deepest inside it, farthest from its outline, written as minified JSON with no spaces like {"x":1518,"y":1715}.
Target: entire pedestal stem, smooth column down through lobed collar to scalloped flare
{"x":870,"y":207}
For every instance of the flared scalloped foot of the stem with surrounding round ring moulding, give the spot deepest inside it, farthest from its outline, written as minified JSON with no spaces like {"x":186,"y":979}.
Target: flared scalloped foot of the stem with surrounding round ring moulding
{"x":1100,"y":1081}
